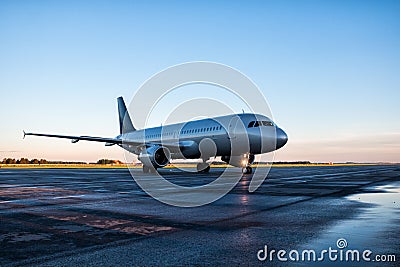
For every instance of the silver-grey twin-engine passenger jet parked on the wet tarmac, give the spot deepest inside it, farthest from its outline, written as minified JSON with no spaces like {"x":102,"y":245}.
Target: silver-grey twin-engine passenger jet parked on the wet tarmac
{"x":236,"y":138}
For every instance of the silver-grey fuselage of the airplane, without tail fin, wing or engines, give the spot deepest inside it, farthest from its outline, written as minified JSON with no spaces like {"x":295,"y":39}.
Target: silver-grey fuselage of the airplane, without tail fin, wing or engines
{"x":231,"y":135}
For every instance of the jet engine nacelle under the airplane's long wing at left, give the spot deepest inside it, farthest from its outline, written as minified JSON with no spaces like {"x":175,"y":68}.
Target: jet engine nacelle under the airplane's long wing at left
{"x":155,"y":156}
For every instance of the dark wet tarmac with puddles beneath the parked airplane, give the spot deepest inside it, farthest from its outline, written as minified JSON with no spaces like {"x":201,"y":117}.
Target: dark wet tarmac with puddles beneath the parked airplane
{"x":100,"y":217}
